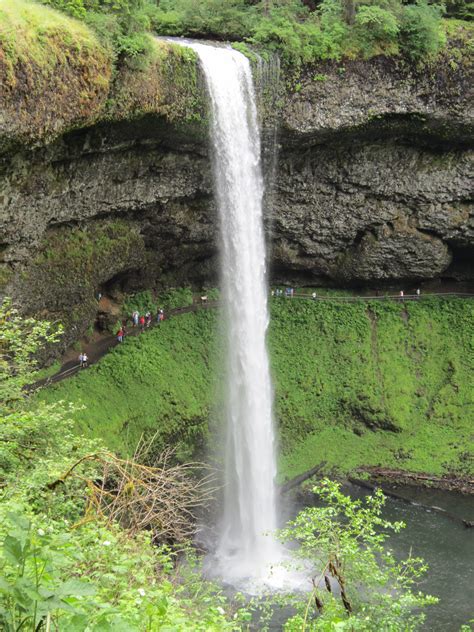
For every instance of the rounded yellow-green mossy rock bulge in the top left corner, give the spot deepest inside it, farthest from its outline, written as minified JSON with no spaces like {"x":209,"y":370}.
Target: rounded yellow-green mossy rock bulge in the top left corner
{"x":54,"y":73}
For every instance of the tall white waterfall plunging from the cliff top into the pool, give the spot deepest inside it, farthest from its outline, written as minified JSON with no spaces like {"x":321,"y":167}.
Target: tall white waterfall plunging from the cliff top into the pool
{"x":245,"y":549}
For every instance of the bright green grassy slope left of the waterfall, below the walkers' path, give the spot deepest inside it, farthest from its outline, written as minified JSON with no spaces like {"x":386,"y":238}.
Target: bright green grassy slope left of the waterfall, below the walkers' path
{"x":160,"y":382}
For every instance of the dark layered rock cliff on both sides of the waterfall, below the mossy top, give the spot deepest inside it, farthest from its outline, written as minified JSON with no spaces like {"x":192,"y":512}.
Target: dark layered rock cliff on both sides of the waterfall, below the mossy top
{"x":373,"y":185}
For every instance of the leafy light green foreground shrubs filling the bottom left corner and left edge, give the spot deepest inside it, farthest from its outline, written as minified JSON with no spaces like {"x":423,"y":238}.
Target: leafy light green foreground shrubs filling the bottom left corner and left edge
{"x":89,"y":578}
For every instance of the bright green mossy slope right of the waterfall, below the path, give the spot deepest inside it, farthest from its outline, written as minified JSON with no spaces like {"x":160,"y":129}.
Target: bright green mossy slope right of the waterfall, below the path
{"x":375,"y":384}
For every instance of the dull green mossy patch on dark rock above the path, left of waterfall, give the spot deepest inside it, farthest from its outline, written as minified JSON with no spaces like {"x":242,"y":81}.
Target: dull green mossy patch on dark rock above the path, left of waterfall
{"x":62,"y":281}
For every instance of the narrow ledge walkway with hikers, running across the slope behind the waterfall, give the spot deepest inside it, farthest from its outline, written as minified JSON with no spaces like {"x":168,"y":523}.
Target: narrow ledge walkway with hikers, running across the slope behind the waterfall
{"x":97,"y":349}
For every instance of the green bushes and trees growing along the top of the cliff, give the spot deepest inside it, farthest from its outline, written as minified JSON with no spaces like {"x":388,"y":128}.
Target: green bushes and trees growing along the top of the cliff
{"x":335,"y":29}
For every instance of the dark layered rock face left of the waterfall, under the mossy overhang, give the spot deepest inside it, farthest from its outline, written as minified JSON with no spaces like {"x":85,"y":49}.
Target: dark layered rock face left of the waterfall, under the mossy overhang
{"x":100,"y":211}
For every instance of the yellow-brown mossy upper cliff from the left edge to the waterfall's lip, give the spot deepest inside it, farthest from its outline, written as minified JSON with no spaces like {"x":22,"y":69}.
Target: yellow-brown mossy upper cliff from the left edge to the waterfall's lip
{"x":56,"y":76}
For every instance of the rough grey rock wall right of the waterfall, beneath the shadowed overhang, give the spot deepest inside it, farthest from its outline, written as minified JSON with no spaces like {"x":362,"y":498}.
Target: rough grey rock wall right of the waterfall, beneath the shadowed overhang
{"x":372,"y":211}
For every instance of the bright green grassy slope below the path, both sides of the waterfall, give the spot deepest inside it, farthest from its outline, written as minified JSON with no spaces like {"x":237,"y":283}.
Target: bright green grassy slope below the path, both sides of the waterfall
{"x":365,"y":383}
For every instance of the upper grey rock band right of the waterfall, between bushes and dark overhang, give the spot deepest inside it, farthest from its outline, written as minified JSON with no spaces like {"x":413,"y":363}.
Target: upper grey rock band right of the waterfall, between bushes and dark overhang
{"x":382,"y":96}
